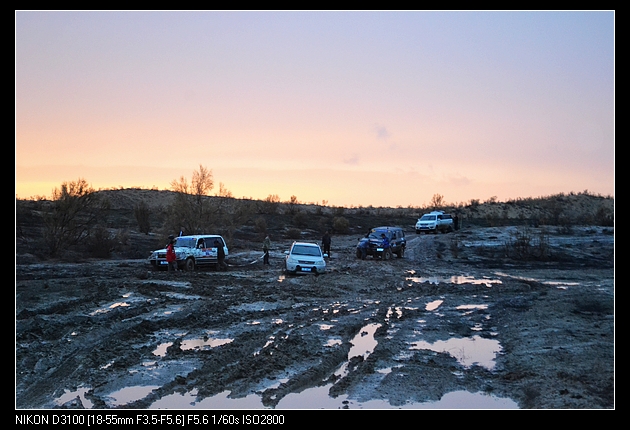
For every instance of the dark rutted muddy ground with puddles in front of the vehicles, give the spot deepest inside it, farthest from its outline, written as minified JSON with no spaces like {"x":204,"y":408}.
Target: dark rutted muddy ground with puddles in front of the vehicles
{"x":454,"y":319}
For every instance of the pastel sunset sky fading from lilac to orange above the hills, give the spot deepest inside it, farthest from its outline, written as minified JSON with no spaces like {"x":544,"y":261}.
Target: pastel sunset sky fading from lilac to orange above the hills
{"x":355,"y":108}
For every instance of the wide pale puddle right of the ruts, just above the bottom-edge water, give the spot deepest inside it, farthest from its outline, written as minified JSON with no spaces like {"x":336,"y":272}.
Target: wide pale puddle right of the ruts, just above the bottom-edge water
{"x":468,"y":351}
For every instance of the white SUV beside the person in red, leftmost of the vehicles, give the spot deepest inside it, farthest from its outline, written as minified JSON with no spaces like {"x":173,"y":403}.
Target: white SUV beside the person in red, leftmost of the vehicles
{"x":191,"y":251}
